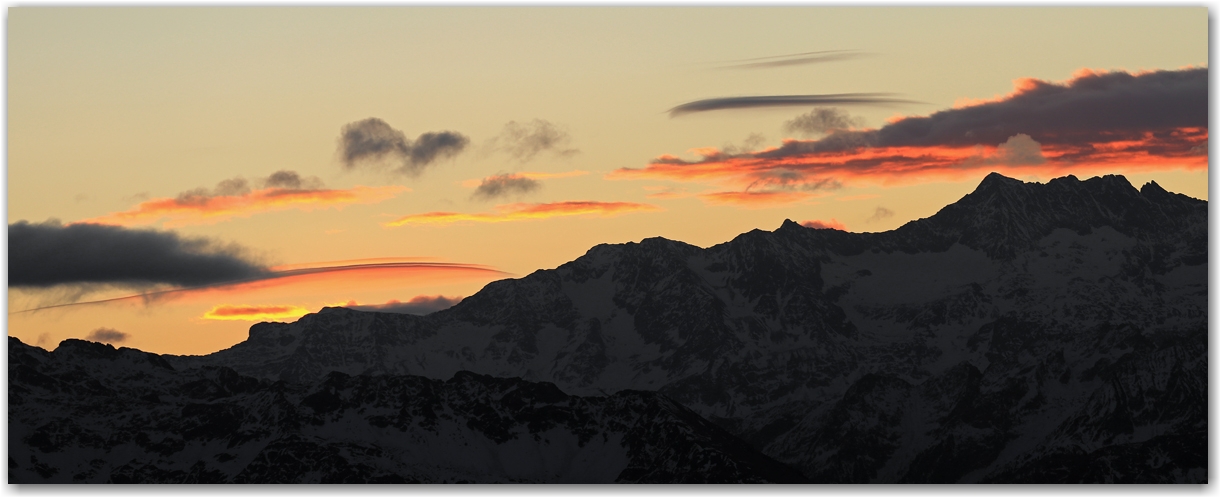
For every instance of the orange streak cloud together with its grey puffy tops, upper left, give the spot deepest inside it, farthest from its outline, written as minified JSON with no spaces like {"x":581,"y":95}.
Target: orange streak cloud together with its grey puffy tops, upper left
{"x":235,"y":198}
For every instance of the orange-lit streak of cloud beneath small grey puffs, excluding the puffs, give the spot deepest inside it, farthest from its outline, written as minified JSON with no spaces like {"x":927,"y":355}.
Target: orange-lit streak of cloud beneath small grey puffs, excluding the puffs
{"x":195,"y":211}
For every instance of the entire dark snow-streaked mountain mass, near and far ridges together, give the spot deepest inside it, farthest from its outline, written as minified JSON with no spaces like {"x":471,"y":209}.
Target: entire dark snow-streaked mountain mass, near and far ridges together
{"x":1025,"y":334}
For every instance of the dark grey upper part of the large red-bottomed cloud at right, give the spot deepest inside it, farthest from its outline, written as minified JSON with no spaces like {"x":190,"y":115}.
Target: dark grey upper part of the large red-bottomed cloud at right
{"x":1093,"y":108}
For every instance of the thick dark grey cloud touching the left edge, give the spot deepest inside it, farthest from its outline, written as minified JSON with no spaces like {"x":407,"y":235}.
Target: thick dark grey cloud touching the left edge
{"x":49,"y":255}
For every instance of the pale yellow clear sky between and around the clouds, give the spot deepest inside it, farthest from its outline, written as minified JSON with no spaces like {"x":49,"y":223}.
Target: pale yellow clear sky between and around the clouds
{"x":113,"y":107}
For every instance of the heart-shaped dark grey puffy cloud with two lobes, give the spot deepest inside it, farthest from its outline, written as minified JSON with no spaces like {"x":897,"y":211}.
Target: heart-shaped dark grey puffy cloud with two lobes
{"x":374,"y":142}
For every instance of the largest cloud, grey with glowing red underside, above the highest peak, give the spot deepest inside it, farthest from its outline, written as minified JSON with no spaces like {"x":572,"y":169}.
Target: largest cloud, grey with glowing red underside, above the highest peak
{"x":1091,"y":124}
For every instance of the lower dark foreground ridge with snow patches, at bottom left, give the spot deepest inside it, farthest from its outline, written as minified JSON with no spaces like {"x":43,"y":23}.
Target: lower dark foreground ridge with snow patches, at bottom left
{"x":88,"y":413}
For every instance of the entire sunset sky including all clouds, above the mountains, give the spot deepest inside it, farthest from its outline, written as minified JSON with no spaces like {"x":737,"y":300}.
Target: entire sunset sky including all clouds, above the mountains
{"x":179,"y":174}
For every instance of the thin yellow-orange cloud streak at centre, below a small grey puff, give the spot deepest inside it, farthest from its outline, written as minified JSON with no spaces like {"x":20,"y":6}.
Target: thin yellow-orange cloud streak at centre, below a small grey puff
{"x":526,"y":212}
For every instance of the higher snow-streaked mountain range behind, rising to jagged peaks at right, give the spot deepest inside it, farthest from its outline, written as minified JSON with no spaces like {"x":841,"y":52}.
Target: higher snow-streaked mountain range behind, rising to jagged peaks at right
{"x":1023,"y":327}
